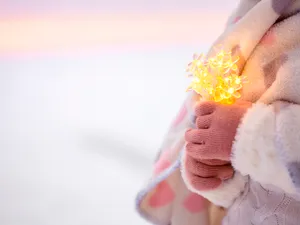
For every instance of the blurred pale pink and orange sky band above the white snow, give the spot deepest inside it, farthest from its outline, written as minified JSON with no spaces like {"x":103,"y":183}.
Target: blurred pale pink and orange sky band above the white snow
{"x":38,"y":26}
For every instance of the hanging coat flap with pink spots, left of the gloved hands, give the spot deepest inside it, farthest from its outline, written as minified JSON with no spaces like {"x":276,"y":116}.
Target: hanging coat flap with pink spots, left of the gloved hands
{"x":166,"y":198}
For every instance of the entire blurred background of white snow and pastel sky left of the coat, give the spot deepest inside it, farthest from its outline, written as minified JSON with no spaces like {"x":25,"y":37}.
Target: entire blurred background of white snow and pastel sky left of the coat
{"x":87,"y":91}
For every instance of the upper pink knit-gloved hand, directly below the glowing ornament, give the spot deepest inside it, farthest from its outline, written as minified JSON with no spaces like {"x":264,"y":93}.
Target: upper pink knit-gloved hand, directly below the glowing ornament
{"x":217,"y":125}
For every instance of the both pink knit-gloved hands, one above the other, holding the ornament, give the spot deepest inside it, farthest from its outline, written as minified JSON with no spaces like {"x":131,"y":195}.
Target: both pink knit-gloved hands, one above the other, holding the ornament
{"x":209,"y":146}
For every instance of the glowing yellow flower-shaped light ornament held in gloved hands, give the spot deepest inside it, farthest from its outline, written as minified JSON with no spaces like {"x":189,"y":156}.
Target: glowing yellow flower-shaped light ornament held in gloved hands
{"x":216,"y":78}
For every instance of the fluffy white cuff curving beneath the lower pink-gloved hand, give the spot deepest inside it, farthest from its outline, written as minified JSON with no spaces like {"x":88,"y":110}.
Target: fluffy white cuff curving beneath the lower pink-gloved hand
{"x":222,"y":196}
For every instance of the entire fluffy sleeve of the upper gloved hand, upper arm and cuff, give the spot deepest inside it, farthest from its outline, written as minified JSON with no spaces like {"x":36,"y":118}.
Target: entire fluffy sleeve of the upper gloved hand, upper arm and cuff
{"x":267,"y":144}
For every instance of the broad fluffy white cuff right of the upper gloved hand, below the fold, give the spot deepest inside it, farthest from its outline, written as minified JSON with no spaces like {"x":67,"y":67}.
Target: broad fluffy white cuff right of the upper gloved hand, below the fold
{"x":267,"y":146}
